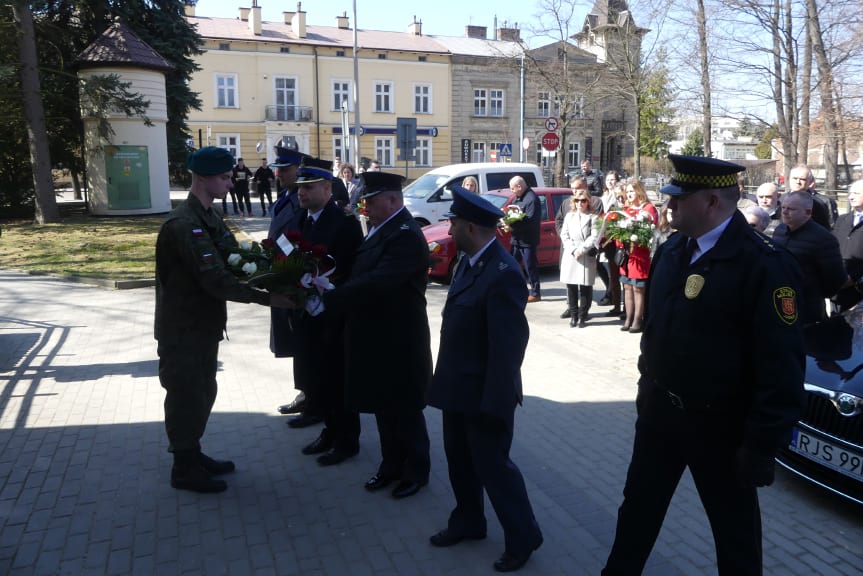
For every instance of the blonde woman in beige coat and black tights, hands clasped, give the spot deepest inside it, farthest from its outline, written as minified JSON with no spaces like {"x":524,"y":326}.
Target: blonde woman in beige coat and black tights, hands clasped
{"x":578,"y":245}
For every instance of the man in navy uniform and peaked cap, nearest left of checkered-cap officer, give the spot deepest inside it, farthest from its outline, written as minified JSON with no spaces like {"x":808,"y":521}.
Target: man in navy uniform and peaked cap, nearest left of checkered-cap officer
{"x":477,"y":384}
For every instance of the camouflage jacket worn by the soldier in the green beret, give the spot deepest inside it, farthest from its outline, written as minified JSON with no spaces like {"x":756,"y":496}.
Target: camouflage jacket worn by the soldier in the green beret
{"x":192,"y":281}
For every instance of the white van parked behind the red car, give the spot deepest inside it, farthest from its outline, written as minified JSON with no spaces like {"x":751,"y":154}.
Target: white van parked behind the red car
{"x":429,"y":197}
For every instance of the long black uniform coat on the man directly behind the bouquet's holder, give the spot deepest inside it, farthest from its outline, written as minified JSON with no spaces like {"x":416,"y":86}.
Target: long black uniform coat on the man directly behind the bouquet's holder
{"x":388,"y":345}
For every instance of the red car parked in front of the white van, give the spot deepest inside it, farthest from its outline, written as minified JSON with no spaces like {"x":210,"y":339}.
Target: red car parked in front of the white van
{"x":442,"y":248}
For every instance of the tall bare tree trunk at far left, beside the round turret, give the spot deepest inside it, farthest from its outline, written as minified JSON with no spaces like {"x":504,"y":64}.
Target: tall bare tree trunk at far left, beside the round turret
{"x":34,"y":113}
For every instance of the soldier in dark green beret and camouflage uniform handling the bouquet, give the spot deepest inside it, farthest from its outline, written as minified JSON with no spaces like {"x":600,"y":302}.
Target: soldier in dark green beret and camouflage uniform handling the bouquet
{"x":192,"y":285}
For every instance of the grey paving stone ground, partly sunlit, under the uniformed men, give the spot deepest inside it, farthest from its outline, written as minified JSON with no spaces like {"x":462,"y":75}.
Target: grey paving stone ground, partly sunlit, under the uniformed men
{"x":84,"y":469}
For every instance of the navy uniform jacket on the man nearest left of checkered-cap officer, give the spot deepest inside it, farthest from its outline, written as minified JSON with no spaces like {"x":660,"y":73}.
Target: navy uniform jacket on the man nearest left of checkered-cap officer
{"x":483,"y":339}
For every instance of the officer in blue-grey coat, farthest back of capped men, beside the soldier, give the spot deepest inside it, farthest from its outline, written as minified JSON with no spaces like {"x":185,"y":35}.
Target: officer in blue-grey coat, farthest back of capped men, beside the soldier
{"x":286,"y":216}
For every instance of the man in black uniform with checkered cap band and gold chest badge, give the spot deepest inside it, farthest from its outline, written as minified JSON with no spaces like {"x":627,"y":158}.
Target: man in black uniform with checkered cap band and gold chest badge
{"x":708,"y":399}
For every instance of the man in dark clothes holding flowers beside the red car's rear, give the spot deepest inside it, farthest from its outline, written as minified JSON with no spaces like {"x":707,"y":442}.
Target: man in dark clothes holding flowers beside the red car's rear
{"x":525,"y":234}
